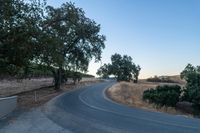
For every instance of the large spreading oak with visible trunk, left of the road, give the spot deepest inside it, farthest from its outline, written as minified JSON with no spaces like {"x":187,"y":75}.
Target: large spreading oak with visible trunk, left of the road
{"x":76,"y":39}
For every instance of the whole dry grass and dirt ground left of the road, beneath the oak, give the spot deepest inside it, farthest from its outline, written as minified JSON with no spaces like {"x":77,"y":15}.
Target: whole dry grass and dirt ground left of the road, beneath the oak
{"x":36,"y":92}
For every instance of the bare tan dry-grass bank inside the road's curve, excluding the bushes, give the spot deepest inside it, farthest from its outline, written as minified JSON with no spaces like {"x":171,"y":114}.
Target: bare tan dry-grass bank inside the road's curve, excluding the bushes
{"x":131,"y":95}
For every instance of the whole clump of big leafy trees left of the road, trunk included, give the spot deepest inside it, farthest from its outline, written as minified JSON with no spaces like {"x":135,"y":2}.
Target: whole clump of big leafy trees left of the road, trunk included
{"x":40,"y":40}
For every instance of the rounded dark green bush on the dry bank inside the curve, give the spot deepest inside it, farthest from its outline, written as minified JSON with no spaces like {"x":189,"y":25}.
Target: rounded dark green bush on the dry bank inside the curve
{"x":163,"y":95}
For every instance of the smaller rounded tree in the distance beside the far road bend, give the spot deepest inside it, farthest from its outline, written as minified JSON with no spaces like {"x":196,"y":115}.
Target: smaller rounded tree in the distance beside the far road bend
{"x":122,"y":67}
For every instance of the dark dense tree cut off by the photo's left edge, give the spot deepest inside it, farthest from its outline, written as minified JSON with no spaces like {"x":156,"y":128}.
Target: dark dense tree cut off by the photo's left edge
{"x":19,"y":22}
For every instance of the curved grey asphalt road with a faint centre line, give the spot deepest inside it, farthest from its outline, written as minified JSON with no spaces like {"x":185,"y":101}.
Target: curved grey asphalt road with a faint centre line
{"x":87,"y":110}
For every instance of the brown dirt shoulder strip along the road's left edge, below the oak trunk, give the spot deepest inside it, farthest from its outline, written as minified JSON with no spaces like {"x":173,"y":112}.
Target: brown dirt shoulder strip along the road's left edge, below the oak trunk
{"x":38,"y":97}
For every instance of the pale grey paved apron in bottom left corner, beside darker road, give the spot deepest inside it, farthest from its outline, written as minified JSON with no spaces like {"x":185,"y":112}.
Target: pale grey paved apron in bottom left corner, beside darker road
{"x":32,"y":121}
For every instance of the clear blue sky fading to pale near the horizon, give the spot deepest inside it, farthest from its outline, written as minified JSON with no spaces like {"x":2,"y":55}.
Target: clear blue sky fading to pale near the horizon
{"x":162,"y":36}
